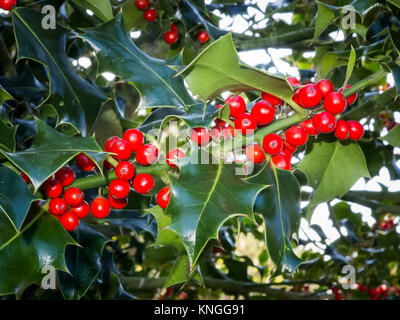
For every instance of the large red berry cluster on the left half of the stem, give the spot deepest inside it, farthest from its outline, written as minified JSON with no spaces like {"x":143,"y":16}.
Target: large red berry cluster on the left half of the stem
{"x":68,"y":202}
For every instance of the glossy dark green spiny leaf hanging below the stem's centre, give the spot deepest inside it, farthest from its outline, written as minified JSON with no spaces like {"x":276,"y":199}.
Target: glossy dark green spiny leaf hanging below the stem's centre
{"x":215,"y":194}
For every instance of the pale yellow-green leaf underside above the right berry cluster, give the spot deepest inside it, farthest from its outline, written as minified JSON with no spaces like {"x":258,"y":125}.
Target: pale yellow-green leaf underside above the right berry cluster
{"x":218,"y":69}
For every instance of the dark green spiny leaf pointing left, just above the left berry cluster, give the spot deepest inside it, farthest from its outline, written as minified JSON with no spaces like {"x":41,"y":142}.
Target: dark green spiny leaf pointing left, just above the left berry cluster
{"x":51,"y":150}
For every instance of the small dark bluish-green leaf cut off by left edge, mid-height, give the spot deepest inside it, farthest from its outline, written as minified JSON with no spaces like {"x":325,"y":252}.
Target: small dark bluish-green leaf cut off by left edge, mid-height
{"x":15,"y":197}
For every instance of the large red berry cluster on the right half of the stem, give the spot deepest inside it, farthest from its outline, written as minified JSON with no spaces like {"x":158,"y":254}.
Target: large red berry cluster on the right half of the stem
{"x":281,"y":147}
